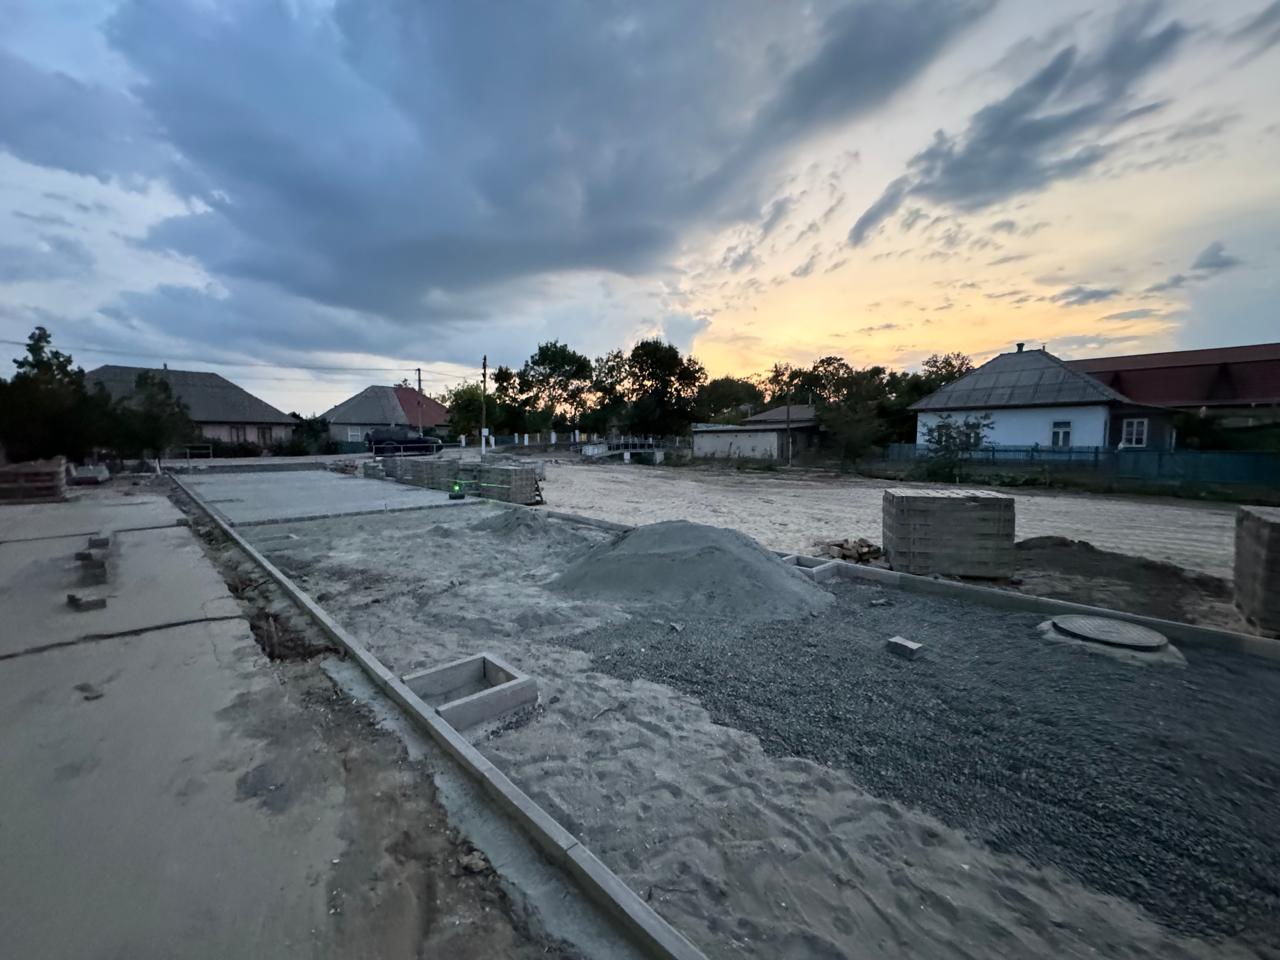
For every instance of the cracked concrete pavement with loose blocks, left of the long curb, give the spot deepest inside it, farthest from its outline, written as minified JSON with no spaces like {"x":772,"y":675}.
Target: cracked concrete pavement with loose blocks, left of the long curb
{"x":168,"y":792}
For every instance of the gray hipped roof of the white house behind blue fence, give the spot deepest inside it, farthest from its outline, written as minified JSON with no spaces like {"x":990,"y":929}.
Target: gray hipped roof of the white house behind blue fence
{"x":1030,"y":378}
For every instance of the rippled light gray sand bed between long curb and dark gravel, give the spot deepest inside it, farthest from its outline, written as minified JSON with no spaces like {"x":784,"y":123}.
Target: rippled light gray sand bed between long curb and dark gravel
{"x":749,"y":856}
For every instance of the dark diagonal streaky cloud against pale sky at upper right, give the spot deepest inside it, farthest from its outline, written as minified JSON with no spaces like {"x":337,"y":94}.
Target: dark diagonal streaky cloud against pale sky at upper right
{"x":1046,"y":130}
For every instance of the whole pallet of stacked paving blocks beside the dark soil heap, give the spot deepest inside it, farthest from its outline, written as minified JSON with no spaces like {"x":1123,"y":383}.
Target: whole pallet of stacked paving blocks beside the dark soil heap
{"x":950,"y":533}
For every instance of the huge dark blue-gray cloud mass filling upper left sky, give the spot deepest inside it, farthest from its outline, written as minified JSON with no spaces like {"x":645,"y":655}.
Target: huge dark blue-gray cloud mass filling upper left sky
{"x":373,"y":157}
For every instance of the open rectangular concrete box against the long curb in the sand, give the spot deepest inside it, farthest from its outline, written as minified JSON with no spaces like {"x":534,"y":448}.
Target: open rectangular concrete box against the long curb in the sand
{"x":473,"y":691}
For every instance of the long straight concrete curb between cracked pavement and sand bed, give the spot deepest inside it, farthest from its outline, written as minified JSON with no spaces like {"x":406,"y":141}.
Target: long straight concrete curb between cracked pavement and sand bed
{"x":637,"y":918}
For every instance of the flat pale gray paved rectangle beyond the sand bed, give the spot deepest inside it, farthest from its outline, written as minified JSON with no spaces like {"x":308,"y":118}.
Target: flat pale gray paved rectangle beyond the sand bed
{"x":257,"y":499}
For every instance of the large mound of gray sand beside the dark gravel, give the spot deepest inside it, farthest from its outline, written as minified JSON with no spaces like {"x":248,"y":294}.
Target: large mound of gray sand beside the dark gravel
{"x":706,"y":572}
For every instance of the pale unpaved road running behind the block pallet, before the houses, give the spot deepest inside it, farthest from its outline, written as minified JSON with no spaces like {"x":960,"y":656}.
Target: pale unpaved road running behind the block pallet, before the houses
{"x":790,"y":511}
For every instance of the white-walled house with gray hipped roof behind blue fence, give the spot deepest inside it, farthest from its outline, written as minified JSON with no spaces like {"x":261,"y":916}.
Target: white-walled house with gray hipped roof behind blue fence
{"x":1036,"y":400}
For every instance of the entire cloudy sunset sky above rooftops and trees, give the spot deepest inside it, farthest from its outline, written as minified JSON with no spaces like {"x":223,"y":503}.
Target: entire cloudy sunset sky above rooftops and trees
{"x":310,"y":196}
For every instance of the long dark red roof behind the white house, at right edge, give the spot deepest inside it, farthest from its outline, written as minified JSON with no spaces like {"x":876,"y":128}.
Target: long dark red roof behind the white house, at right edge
{"x":1194,"y":378}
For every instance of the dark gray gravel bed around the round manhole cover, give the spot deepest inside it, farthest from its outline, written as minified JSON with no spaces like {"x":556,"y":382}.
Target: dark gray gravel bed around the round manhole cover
{"x":1153,"y":784}
